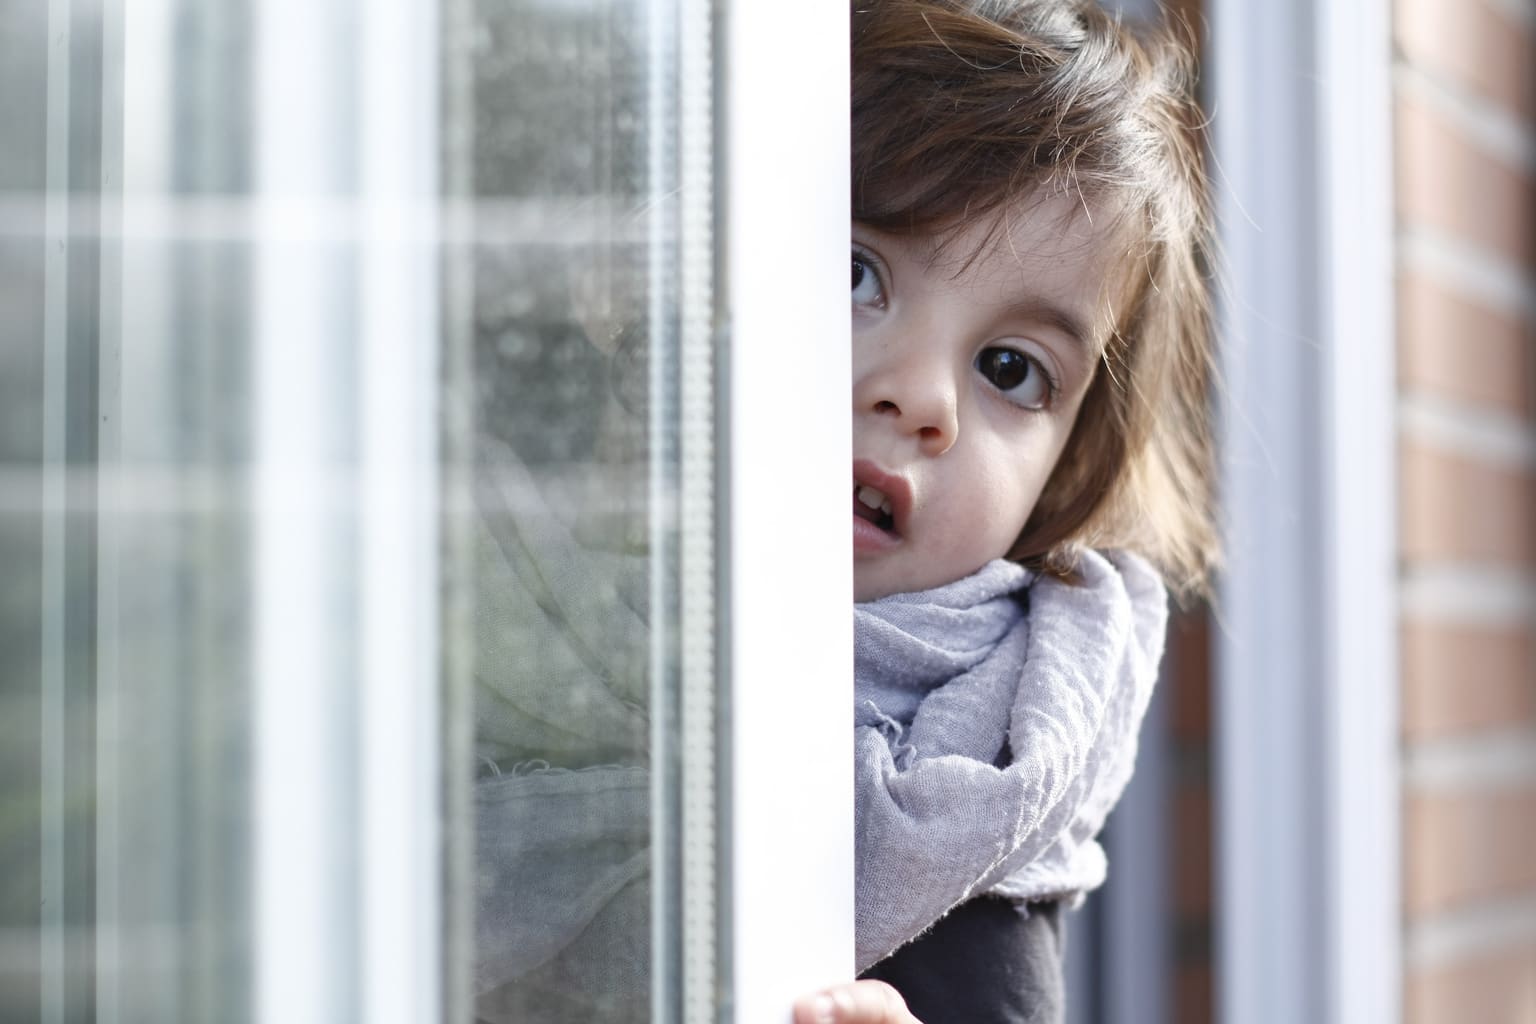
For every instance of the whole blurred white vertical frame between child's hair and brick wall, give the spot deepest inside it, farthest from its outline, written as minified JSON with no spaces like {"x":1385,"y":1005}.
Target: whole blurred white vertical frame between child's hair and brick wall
{"x":1308,"y":725}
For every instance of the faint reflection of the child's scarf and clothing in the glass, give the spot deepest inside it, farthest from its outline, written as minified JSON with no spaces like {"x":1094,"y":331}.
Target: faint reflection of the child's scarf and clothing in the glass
{"x":563,"y":813}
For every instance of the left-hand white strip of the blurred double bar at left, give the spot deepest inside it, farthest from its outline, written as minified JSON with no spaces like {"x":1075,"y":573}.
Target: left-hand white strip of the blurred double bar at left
{"x":297,"y":575}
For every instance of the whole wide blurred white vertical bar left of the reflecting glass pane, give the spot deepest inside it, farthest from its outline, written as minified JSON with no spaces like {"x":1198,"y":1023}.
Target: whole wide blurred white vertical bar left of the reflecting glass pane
{"x":316,"y":236}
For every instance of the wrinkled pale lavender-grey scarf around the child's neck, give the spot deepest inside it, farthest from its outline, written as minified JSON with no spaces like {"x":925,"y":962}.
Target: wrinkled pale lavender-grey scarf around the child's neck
{"x":995,"y":728}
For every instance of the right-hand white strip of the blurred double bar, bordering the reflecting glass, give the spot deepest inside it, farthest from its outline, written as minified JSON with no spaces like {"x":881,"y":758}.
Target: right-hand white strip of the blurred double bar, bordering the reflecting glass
{"x":402,"y":775}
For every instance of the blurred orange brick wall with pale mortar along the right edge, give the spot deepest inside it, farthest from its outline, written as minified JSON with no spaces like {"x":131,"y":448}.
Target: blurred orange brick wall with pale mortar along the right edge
{"x":1466,"y":159}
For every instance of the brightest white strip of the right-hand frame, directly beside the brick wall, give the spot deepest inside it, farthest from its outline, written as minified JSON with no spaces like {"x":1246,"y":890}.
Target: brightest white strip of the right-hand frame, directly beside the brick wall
{"x":1356,"y":48}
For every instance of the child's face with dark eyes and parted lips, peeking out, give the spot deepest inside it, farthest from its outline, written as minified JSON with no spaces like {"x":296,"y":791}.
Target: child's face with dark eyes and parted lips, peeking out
{"x":967,"y":383}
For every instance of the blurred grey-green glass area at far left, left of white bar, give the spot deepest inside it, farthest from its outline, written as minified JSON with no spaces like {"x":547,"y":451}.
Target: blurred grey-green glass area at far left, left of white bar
{"x":124,"y":842}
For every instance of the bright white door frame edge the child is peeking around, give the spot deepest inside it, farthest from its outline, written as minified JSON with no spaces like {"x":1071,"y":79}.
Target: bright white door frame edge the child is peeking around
{"x":786,"y":233}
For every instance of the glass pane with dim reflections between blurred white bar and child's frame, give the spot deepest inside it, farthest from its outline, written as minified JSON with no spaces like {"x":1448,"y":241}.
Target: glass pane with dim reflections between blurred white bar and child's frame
{"x":566,"y":145}
